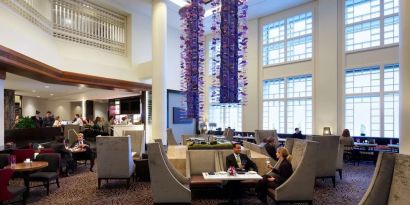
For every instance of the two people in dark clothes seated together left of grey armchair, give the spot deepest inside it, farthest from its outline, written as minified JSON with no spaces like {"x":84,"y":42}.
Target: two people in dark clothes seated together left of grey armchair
{"x":70,"y":154}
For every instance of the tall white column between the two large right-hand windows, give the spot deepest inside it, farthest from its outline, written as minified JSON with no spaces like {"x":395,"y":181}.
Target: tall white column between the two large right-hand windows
{"x":325,"y":74}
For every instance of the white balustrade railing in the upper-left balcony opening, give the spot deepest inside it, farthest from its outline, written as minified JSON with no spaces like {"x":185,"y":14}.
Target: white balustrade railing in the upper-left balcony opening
{"x":76,"y":20}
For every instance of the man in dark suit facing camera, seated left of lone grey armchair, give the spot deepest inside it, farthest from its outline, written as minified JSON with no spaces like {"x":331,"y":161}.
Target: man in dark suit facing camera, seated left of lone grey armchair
{"x":86,"y":154}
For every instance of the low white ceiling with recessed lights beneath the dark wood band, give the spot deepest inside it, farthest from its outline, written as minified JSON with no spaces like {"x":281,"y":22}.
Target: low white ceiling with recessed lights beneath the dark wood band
{"x":29,"y":87}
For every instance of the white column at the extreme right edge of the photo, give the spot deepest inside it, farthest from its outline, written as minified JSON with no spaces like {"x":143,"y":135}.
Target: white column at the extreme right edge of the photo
{"x":404,"y":52}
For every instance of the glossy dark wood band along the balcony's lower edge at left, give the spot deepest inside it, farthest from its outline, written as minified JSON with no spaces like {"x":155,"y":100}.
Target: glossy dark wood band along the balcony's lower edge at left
{"x":17,"y":63}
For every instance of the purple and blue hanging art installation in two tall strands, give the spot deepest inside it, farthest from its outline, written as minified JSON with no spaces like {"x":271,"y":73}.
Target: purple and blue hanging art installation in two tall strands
{"x":229,"y":46}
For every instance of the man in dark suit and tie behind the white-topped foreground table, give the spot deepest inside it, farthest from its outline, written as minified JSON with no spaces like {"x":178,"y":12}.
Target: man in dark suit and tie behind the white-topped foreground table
{"x":240,"y":161}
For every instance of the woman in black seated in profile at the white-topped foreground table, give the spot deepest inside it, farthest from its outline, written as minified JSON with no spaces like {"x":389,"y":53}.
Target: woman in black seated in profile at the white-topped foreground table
{"x":280,"y":173}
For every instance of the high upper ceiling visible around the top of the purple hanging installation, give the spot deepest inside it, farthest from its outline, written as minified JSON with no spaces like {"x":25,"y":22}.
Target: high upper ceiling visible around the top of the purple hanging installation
{"x":257,"y":8}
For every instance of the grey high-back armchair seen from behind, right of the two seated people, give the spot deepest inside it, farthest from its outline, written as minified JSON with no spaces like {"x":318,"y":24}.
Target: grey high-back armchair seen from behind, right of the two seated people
{"x":114,"y":158}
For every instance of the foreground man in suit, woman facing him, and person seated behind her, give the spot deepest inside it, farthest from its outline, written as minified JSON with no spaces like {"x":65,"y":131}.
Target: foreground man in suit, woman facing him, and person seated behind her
{"x":279,"y":173}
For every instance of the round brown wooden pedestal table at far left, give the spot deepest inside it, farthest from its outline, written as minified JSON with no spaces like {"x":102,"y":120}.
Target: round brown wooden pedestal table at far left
{"x":26,"y":169}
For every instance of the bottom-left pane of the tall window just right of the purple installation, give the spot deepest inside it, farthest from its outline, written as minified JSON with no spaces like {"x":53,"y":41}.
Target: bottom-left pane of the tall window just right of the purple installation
{"x":274,"y":115}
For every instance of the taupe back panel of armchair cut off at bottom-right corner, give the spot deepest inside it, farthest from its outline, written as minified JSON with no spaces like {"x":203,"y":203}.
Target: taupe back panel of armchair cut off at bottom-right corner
{"x":400,"y":189}
